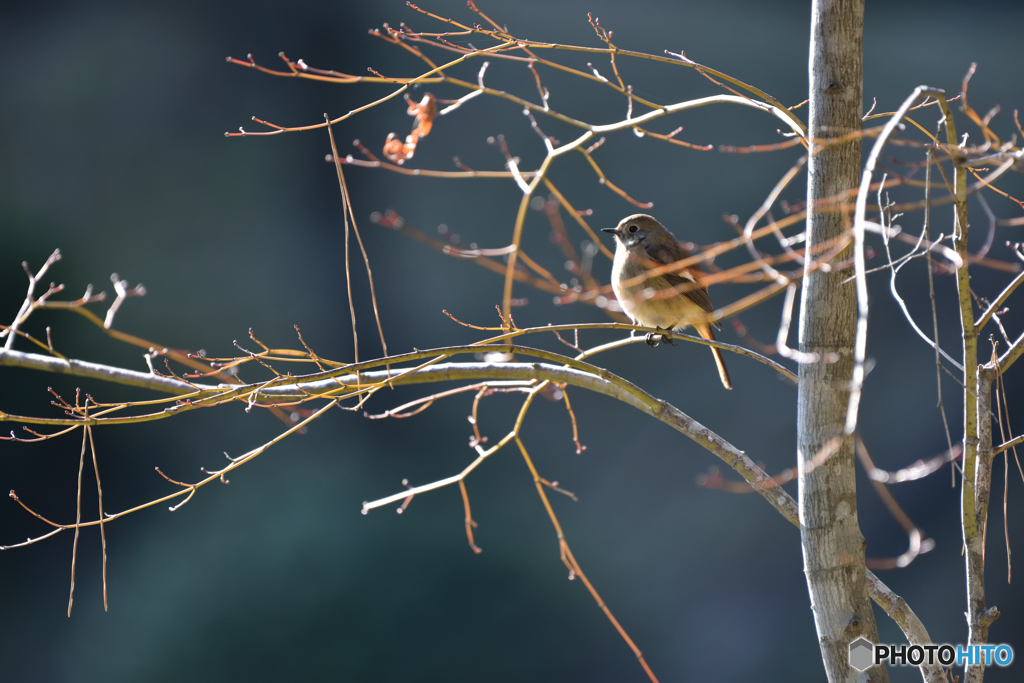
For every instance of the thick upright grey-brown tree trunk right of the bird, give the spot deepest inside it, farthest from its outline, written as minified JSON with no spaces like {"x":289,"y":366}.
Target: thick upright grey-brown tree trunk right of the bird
{"x":833,"y":545}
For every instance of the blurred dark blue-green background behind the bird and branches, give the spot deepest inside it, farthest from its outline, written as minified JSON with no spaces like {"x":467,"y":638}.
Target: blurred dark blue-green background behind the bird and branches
{"x":111,"y":148}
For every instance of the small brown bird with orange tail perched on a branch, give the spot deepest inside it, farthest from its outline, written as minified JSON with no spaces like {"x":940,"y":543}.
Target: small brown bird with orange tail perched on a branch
{"x":669,"y":301}
